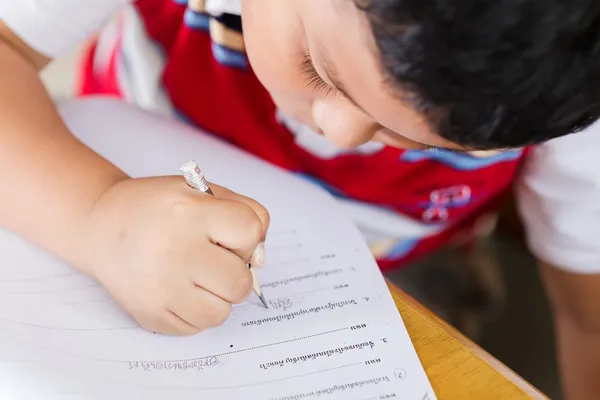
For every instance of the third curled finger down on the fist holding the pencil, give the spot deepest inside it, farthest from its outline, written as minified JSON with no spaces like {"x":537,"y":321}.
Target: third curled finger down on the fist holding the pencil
{"x":199,"y":308}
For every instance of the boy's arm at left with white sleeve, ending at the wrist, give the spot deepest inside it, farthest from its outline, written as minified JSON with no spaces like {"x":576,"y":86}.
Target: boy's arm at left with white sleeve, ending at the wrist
{"x":50,"y":180}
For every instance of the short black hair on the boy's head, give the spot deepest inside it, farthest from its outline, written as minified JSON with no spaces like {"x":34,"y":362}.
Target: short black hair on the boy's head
{"x":493,"y":73}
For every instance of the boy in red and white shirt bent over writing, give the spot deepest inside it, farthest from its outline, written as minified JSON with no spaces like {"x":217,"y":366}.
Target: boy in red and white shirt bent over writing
{"x":351,"y":93}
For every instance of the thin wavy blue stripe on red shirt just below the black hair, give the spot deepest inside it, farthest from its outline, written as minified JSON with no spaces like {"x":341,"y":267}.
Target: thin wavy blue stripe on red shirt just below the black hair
{"x":460,"y":161}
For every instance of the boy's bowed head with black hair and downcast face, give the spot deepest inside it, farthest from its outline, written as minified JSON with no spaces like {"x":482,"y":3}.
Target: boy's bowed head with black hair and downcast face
{"x":463,"y":74}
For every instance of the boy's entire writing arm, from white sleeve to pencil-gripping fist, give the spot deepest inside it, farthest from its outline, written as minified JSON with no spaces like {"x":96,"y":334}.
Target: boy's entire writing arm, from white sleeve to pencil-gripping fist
{"x":65,"y":198}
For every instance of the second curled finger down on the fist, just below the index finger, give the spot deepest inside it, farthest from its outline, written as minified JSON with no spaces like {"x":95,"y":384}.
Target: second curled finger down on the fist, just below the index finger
{"x":227,"y":276}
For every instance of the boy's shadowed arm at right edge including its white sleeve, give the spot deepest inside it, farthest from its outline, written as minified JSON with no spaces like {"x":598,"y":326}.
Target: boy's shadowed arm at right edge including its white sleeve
{"x":559,"y":202}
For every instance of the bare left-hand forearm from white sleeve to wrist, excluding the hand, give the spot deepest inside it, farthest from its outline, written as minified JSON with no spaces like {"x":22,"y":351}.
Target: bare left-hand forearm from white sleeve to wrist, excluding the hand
{"x":50,"y":180}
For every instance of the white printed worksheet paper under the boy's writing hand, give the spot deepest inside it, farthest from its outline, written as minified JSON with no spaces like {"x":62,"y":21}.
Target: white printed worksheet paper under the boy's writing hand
{"x":332,"y":330}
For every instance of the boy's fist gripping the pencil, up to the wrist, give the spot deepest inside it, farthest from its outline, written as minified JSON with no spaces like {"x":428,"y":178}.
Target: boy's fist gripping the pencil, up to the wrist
{"x":174,"y":258}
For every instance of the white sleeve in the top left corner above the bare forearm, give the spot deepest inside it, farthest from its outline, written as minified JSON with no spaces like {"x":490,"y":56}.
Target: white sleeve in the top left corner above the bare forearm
{"x":53,"y":27}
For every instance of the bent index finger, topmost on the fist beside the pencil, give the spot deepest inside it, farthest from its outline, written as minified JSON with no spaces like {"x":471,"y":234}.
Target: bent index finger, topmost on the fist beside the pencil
{"x":234,"y":226}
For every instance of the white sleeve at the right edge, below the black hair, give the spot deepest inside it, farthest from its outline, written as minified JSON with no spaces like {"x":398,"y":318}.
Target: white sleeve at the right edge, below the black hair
{"x":559,"y":201}
